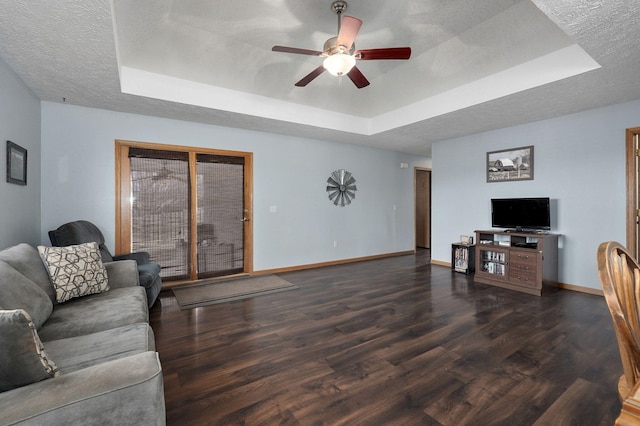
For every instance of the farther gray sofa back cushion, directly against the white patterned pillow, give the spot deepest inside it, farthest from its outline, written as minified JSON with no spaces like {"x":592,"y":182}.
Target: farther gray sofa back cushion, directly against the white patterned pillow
{"x":26,"y":260}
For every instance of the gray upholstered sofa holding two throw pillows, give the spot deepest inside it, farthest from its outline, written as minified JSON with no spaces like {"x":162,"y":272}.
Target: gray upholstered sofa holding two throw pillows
{"x":108,"y":371}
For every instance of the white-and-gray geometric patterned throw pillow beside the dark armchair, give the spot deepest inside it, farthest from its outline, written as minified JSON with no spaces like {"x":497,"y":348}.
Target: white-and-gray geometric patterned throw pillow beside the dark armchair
{"x":75,"y":271}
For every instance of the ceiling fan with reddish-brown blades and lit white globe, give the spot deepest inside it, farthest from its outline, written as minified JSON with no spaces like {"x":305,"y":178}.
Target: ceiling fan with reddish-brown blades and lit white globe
{"x":340,"y":52}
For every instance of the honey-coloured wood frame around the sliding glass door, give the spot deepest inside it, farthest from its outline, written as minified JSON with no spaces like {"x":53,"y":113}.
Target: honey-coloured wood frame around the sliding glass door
{"x":123,"y":195}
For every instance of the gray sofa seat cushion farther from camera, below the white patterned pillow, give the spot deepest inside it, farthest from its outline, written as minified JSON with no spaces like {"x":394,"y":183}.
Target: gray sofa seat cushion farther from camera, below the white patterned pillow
{"x":98,"y":312}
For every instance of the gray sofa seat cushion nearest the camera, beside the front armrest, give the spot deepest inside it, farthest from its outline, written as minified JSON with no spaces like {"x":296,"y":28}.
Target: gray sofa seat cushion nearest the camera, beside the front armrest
{"x":80,"y":352}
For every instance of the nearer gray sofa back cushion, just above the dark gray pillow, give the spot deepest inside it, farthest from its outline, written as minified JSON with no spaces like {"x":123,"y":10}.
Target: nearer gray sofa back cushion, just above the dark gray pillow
{"x":18,"y":292}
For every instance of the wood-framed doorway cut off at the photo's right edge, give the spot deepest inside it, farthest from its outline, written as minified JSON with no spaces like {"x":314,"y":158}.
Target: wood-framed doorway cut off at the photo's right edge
{"x":633,"y":189}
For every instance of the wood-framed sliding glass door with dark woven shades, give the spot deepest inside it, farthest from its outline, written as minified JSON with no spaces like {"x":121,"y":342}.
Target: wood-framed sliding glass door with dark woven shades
{"x":190,"y":208}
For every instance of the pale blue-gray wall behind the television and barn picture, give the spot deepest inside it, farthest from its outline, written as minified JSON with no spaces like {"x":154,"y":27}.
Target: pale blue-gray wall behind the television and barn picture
{"x":579,"y":162}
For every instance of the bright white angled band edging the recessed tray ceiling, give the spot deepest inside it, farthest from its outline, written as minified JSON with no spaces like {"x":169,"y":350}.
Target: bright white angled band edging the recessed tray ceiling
{"x":563,"y":63}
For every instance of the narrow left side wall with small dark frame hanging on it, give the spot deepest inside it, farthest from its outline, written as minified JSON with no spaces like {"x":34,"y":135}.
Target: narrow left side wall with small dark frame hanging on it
{"x":19,"y":123}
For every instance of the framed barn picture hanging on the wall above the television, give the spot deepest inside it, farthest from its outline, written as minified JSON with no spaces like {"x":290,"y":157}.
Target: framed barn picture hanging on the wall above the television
{"x":510,"y":164}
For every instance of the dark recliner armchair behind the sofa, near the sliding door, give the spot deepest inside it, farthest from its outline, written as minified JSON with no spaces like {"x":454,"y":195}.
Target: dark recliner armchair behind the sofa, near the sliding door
{"x":82,"y":231}
